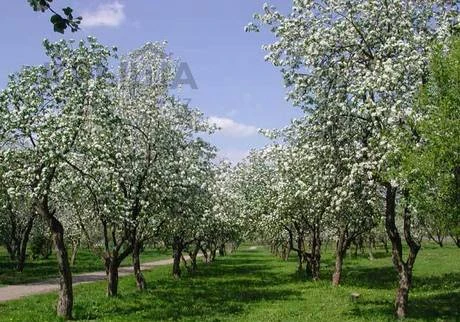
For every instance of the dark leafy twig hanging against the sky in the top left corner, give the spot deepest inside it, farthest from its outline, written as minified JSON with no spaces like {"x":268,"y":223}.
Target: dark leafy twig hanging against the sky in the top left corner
{"x":60,"y":21}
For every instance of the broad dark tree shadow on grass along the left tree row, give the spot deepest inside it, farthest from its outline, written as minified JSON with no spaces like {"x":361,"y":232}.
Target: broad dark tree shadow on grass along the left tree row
{"x":224,"y":288}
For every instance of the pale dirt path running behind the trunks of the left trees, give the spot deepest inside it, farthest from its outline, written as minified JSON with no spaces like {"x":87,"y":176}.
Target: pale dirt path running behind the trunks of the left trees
{"x":14,"y":292}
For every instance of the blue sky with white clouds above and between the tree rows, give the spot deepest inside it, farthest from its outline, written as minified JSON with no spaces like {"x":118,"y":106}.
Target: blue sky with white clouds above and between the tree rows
{"x":236,"y":87}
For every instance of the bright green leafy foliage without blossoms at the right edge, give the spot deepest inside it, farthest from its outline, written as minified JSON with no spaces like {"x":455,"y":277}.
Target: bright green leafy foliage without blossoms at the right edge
{"x":432,"y":165}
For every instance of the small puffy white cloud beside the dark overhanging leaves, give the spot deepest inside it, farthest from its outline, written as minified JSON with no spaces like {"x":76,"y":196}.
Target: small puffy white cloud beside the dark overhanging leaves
{"x":106,"y":15}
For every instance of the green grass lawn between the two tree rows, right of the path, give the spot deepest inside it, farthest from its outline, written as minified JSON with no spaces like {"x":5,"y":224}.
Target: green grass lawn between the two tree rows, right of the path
{"x":251,"y":285}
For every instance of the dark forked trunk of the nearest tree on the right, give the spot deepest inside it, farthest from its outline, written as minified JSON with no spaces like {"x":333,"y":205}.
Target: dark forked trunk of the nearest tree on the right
{"x":404,"y":268}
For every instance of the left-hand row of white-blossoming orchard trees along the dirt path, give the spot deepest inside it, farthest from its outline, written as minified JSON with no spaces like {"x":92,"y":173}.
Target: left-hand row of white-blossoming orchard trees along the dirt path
{"x":108,"y":157}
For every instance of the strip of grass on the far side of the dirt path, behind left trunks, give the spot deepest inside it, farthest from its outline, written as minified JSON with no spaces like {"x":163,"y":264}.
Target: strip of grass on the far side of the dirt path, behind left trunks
{"x":38,"y":270}
